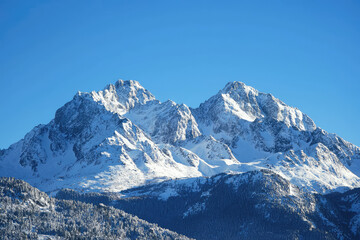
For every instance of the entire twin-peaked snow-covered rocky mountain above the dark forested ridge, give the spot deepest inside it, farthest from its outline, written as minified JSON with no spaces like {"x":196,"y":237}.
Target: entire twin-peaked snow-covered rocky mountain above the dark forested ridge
{"x":122,"y":137}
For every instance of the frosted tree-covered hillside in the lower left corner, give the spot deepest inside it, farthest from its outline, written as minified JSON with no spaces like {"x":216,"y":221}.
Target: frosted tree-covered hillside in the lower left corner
{"x":27,"y":213}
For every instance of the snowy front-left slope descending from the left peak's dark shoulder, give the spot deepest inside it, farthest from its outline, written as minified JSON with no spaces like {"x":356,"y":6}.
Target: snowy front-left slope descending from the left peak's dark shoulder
{"x":88,"y":146}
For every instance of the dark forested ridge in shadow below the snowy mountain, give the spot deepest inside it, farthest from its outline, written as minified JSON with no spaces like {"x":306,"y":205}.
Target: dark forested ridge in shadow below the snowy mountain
{"x":253,"y":205}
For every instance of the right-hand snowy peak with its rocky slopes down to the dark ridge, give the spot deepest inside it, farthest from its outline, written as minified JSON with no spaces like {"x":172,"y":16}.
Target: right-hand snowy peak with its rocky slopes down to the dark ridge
{"x":265,"y":133}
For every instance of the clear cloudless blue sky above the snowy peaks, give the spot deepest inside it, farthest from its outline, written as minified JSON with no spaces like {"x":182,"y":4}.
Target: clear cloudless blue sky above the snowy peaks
{"x":307,"y":53}
